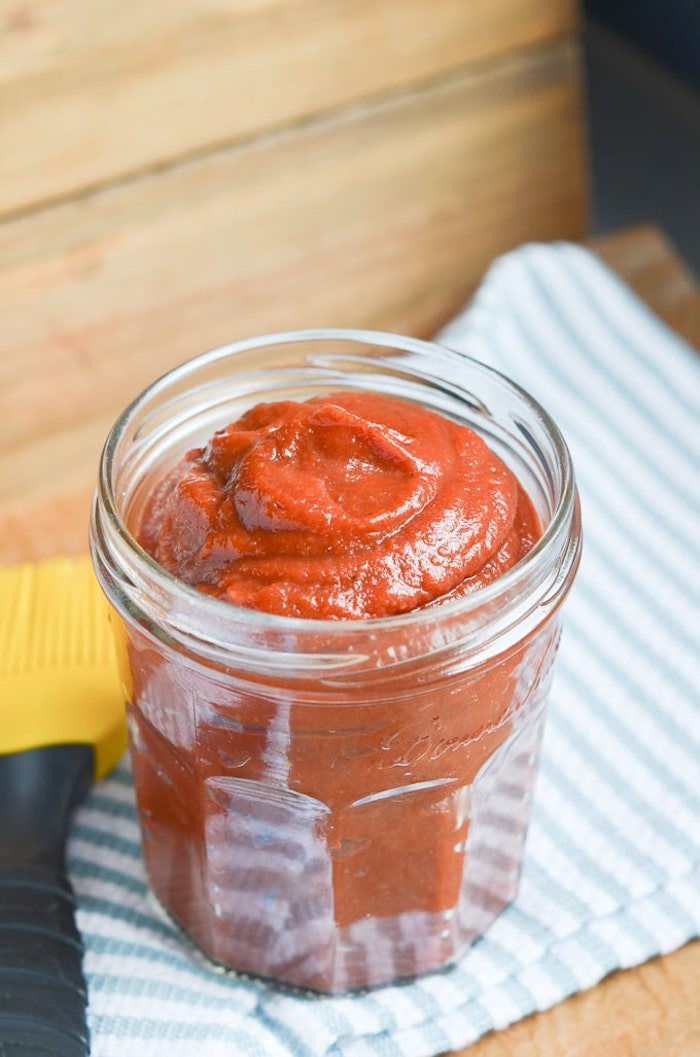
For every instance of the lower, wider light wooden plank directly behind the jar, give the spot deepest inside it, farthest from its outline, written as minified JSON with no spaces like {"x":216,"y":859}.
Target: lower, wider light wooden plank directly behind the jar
{"x":385,"y":219}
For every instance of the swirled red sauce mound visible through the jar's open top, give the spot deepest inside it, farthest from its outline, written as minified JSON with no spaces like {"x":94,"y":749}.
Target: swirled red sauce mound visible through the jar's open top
{"x":348,"y":506}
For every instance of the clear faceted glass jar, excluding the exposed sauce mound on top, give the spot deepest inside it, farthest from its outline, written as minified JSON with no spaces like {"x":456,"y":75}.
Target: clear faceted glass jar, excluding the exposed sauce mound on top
{"x":334,"y":805}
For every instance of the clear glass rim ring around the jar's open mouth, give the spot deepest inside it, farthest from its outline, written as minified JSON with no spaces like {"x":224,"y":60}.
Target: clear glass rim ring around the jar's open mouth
{"x":167,"y":585}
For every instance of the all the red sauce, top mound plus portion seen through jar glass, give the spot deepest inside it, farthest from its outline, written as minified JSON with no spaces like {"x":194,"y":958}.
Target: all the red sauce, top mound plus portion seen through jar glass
{"x":338,"y":833}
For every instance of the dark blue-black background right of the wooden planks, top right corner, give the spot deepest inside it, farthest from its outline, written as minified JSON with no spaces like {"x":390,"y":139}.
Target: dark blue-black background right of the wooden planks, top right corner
{"x":643,"y":97}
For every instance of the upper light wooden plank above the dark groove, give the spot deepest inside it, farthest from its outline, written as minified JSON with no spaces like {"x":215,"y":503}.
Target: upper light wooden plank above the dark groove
{"x":91,"y":92}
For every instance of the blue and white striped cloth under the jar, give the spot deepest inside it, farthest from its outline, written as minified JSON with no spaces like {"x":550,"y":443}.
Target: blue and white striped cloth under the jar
{"x":613,"y":870}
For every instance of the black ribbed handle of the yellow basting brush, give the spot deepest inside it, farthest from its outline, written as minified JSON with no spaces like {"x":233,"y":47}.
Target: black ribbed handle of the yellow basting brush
{"x":43,"y":991}
